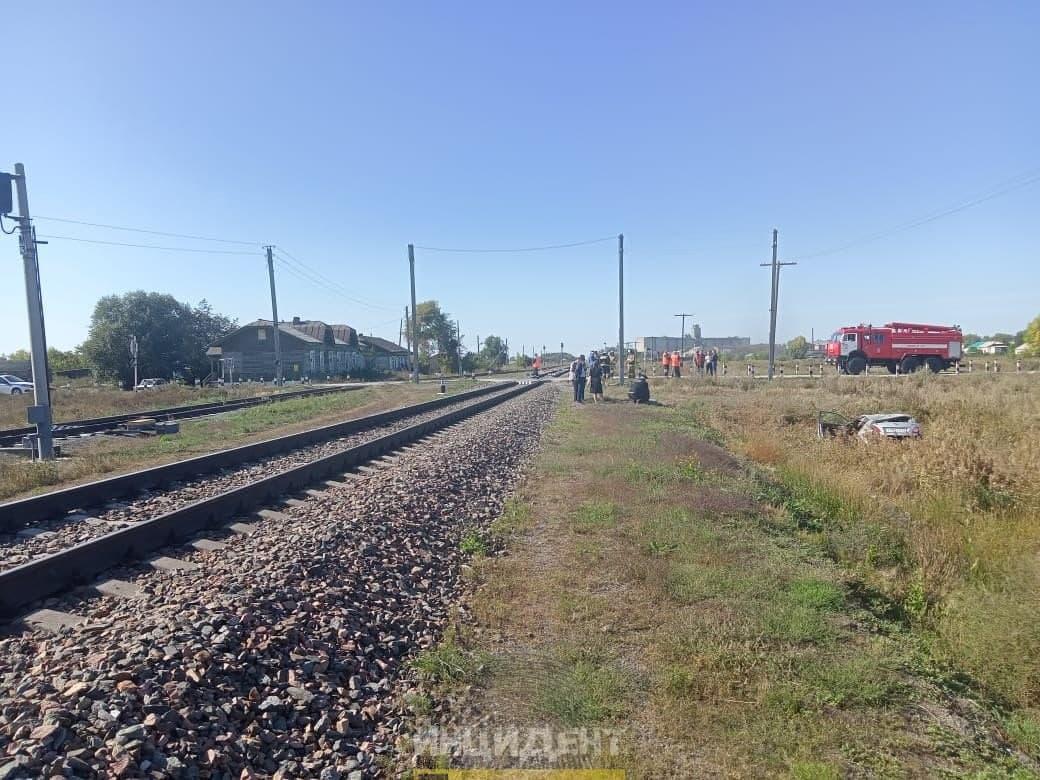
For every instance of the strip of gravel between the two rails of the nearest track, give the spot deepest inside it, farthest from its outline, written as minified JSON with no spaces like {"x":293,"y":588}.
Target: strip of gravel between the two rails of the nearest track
{"x":75,"y":528}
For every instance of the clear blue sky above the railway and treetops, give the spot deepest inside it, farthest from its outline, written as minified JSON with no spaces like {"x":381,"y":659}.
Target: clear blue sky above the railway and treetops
{"x":344,"y":132}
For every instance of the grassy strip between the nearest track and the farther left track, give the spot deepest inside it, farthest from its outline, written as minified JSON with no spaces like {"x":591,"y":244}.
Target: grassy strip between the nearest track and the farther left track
{"x":102,"y":456}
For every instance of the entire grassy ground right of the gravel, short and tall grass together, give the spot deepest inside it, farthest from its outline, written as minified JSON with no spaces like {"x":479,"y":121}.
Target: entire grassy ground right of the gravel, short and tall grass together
{"x":739,"y":599}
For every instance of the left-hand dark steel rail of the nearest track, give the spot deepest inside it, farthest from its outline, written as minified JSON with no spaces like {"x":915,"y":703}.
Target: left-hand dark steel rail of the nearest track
{"x":20,"y":513}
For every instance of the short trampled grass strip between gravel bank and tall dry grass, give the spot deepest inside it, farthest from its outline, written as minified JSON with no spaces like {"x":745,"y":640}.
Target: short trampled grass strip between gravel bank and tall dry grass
{"x":647,"y":589}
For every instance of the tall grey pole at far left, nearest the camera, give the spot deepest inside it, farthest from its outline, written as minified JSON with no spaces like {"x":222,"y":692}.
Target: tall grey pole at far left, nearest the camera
{"x":40,"y":413}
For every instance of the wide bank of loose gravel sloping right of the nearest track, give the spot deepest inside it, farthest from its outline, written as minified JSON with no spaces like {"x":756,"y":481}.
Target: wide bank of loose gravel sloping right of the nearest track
{"x":280,"y":658}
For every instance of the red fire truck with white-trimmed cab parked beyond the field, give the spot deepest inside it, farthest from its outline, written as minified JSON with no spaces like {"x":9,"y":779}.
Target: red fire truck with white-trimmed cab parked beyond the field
{"x":903,"y":348}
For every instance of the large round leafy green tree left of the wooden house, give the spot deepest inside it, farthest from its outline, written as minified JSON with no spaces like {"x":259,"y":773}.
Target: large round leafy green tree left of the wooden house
{"x":172,"y":336}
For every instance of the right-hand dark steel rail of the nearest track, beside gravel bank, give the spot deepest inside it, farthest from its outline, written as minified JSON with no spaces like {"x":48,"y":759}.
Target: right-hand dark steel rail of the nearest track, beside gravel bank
{"x":79,"y":565}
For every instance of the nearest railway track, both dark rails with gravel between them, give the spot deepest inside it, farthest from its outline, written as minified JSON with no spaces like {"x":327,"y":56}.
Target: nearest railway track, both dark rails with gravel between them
{"x":137,"y":514}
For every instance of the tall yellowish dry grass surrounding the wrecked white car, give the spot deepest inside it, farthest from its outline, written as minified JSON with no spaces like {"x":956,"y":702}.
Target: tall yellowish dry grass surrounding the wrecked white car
{"x":949,"y":527}
